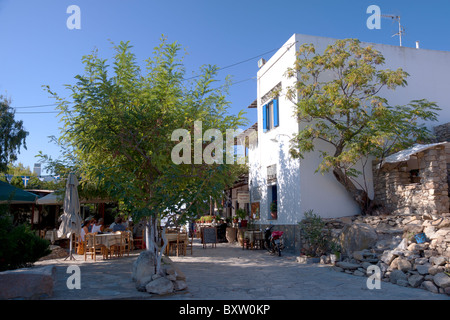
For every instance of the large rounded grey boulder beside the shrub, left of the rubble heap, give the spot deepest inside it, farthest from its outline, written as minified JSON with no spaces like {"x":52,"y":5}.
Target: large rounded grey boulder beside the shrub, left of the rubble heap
{"x":357,"y":237}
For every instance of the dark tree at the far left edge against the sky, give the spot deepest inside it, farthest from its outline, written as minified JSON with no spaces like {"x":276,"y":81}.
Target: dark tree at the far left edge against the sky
{"x":12,"y":134}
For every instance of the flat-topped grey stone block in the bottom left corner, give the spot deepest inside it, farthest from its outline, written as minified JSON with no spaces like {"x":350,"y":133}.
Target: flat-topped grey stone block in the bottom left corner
{"x":27,"y":283}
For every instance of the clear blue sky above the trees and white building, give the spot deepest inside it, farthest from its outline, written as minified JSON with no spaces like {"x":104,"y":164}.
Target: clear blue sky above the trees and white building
{"x":38,"y":48}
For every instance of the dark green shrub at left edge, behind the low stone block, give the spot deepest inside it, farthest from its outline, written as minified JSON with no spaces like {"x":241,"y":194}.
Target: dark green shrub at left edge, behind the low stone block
{"x":19,"y":246}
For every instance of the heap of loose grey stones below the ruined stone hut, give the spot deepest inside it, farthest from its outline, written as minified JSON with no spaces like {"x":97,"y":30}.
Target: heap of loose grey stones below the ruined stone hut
{"x":400,"y":258}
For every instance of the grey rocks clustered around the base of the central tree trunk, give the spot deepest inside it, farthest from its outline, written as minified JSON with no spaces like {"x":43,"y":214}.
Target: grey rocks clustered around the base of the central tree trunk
{"x":170,"y":280}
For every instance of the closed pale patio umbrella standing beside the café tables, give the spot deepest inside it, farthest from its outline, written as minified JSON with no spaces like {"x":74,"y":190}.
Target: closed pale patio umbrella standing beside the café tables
{"x":71,"y":219}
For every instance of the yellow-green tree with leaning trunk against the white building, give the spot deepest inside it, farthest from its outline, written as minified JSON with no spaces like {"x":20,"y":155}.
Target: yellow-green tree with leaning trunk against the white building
{"x":337,"y":102}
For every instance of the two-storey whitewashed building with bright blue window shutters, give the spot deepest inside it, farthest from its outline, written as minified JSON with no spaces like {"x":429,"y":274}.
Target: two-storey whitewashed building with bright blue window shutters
{"x":274,"y":175}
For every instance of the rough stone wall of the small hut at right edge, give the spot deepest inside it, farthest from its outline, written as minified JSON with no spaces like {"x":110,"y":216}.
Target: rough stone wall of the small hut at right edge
{"x":400,"y":191}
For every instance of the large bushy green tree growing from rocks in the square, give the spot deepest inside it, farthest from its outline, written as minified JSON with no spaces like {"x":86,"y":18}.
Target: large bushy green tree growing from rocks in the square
{"x":119,"y":131}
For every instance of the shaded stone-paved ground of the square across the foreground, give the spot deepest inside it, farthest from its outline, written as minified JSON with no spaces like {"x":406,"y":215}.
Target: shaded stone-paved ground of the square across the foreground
{"x":229,"y":273}
